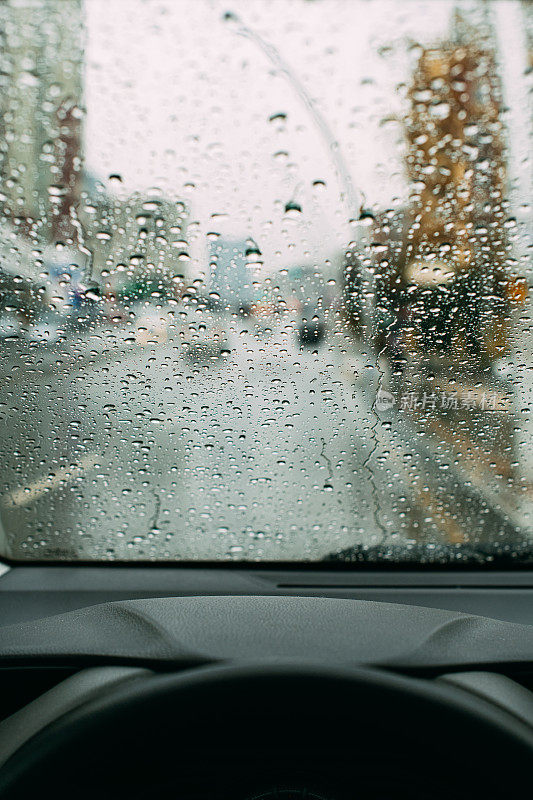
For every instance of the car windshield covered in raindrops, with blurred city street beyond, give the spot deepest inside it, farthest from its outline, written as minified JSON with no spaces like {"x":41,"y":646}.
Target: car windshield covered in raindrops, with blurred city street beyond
{"x":264,"y":281}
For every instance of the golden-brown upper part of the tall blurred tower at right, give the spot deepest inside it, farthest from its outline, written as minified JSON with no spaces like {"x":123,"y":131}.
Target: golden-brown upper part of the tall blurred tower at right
{"x":456,"y":152}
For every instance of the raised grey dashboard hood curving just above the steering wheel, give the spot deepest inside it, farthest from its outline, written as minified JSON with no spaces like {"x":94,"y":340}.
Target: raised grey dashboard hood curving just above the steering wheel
{"x":187,"y":631}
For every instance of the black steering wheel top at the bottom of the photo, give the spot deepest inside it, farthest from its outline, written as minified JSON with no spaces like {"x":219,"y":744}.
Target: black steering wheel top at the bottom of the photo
{"x":281,"y":730}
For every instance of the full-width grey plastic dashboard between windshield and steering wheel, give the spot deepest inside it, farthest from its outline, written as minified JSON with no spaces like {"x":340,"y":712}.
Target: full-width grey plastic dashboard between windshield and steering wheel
{"x":175,"y":617}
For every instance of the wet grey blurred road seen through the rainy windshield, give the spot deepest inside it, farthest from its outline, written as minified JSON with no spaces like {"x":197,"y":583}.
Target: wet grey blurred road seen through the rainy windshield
{"x":113,"y":449}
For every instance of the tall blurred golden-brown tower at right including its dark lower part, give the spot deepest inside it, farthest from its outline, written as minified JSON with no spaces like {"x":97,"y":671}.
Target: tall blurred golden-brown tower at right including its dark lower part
{"x":439,"y":270}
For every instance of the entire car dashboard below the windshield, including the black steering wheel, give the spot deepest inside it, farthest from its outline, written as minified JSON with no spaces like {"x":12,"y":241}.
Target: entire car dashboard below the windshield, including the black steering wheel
{"x":197,"y":682}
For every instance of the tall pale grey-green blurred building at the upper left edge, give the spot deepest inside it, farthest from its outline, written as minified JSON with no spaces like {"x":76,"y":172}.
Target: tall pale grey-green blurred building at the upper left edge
{"x":41,"y":114}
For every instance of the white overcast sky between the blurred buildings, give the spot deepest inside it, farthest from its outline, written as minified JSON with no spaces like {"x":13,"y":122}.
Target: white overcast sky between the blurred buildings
{"x":177,"y":100}
